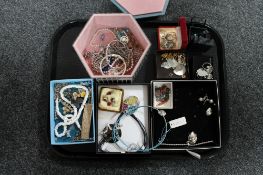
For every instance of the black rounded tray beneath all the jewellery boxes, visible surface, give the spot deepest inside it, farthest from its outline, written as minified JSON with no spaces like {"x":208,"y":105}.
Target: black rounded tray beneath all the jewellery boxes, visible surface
{"x":65,"y":64}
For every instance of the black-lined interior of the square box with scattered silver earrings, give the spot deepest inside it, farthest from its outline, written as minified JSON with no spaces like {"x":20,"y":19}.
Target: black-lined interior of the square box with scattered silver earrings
{"x":197,"y":103}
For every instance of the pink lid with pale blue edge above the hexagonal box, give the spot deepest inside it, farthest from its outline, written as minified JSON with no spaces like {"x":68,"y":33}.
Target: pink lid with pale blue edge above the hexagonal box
{"x":142,"y":9}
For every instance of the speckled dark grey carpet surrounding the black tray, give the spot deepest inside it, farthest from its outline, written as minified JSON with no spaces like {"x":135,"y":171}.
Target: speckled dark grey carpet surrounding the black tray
{"x":26,"y":28}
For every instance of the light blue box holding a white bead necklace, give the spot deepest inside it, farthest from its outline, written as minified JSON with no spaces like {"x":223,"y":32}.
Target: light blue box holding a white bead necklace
{"x":72,"y":112}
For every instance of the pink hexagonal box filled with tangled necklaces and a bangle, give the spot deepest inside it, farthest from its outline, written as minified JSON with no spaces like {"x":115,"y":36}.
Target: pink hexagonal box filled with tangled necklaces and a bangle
{"x":112,"y":46}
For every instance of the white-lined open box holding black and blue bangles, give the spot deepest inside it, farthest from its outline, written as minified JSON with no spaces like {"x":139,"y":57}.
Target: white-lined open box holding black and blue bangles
{"x":134,"y":129}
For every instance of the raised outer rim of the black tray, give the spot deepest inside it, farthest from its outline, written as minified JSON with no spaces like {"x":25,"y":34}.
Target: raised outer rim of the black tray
{"x":223,"y":95}
